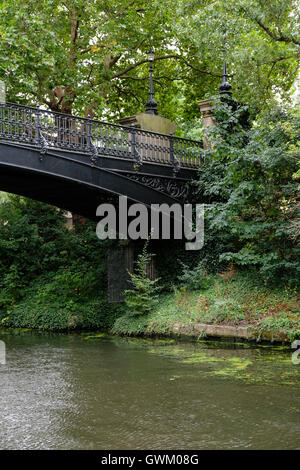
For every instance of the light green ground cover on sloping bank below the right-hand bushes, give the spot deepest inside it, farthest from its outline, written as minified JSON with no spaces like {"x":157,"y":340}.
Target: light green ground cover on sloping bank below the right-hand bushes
{"x":238,"y":301}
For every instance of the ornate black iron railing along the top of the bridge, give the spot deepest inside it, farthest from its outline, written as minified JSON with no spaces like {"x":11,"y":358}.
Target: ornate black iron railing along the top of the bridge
{"x":47,"y":129}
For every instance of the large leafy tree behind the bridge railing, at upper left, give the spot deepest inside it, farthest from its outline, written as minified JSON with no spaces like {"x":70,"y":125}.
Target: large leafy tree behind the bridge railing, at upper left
{"x":79,"y":56}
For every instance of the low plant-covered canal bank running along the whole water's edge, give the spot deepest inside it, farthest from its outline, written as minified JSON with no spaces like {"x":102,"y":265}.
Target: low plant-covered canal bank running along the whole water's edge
{"x":225,"y":308}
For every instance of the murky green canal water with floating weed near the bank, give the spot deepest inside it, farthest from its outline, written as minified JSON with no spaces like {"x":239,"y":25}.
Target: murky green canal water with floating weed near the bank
{"x":91,"y":391}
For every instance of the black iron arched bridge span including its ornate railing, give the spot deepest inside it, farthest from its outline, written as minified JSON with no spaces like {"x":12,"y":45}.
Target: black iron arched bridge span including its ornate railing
{"x":76,"y":163}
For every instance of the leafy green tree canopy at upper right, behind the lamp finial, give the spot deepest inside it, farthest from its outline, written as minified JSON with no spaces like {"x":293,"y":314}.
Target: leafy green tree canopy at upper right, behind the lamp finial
{"x":260,"y":40}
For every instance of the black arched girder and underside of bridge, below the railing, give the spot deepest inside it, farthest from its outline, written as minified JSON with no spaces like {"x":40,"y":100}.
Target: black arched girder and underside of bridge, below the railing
{"x":70,"y":181}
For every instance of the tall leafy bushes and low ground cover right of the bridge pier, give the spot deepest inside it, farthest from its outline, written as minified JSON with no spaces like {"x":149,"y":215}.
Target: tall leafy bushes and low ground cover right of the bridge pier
{"x":249,"y":180}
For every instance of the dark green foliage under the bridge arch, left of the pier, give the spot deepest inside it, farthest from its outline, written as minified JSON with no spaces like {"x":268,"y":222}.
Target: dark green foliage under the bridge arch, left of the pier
{"x":50,"y":277}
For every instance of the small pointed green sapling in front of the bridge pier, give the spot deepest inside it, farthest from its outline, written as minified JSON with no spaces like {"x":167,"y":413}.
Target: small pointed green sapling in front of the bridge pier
{"x":141,"y":298}
